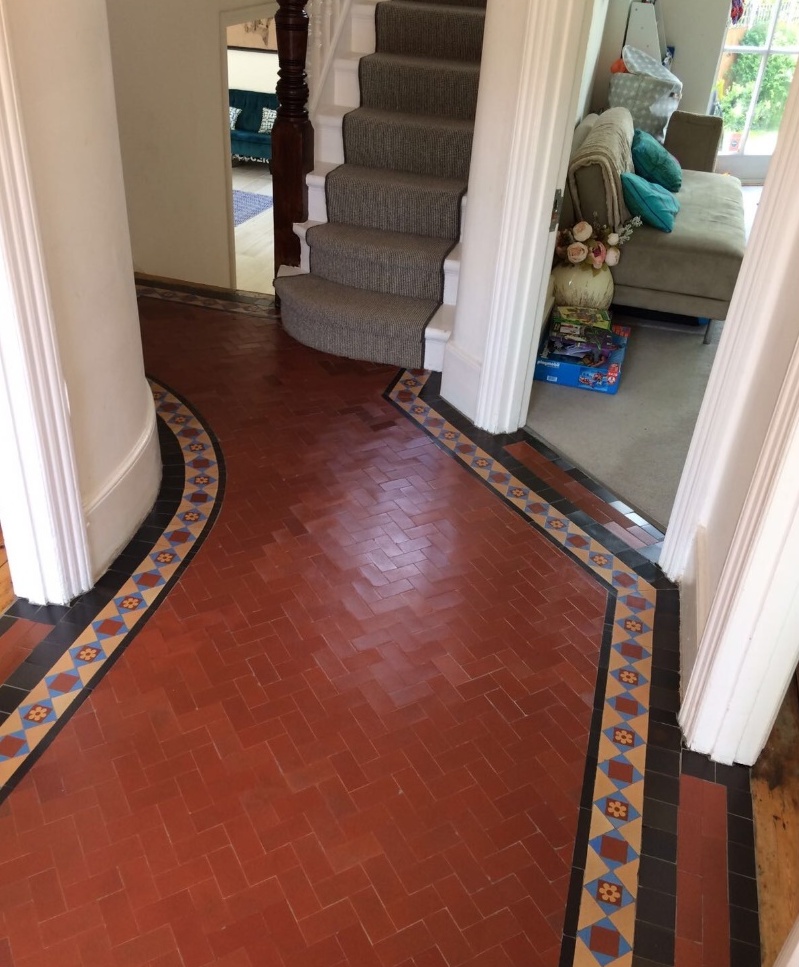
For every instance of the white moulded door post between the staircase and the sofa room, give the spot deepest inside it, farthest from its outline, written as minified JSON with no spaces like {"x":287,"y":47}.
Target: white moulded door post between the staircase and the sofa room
{"x":529,"y":85}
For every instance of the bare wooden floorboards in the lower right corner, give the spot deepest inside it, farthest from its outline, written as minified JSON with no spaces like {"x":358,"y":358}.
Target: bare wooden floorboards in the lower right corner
{"x":775,"y":802}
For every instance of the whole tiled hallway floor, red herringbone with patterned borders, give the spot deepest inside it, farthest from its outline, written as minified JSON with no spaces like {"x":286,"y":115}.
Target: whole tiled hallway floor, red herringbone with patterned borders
{"x":368,"y":725}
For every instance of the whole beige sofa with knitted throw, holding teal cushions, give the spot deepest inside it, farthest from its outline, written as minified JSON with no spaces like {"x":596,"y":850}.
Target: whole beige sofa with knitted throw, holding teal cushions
{"x":692,"y":270}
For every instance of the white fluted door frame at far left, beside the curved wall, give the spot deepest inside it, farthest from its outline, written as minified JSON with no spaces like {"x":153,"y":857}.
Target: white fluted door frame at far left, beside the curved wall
{"x":40,"y":503}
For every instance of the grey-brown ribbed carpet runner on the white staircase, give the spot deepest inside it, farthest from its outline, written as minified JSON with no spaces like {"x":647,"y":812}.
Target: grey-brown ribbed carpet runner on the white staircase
{"x":376,"y":267}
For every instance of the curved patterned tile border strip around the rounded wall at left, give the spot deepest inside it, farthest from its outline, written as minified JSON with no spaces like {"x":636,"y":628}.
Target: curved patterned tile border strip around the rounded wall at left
{"x":68,"y":681}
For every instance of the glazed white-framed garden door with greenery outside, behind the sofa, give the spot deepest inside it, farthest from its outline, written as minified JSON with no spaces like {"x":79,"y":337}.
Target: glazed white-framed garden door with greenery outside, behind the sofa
{"x":755,"y":72}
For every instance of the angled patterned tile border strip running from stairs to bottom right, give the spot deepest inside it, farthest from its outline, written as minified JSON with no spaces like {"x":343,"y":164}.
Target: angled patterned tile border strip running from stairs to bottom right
{"x":606,"y":920}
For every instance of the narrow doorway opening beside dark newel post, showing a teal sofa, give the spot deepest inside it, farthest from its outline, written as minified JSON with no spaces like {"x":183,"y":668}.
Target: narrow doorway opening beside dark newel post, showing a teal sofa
{"x":252,"y":67}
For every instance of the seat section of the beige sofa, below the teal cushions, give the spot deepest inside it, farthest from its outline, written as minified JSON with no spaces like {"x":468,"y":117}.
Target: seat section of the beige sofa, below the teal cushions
{"x":702,"y":256}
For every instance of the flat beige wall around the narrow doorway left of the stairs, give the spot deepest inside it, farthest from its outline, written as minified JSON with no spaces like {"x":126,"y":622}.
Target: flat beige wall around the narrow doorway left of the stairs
{"x":170,"y":73}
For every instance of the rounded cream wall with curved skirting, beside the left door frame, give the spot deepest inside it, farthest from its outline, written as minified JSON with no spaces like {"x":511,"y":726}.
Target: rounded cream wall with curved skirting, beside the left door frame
{"x":66,"y":101}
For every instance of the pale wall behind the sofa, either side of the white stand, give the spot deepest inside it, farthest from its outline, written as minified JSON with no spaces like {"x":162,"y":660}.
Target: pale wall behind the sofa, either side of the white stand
{"x":695,"y":30}
